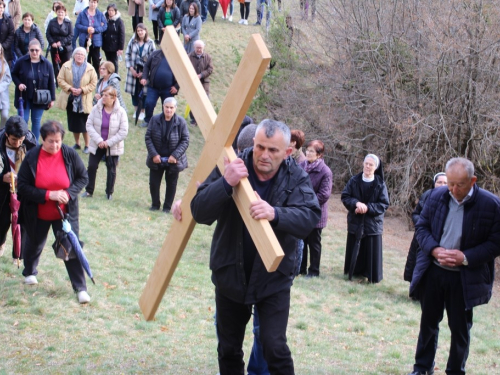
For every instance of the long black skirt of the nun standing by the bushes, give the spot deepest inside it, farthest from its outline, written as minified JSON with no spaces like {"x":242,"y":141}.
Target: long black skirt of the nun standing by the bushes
{"x":369,"y":261}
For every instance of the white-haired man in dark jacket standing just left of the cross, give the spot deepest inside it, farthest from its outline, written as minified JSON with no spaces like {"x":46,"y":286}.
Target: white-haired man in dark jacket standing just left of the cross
{"x":167,"y":139}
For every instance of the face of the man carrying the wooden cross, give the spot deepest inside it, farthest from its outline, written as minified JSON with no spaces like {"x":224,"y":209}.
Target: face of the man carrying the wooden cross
{"x":268,"y":153}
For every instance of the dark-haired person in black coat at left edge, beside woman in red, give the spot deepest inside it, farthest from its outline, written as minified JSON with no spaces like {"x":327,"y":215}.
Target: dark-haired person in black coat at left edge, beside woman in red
{"x":15,"y":141}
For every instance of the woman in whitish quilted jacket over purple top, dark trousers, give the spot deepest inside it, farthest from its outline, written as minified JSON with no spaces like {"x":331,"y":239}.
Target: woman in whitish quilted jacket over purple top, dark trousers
{"x":107,"y":127}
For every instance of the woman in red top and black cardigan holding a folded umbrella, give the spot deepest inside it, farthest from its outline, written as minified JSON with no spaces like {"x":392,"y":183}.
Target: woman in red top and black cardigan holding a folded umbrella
{"x":59,"y":178}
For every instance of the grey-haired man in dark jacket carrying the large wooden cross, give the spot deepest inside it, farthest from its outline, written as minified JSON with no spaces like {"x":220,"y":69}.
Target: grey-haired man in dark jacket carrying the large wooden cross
{"x":287,"y":201}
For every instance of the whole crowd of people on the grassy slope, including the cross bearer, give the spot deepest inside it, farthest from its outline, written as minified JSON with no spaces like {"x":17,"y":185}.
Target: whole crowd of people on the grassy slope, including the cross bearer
{"x":448,"y":267}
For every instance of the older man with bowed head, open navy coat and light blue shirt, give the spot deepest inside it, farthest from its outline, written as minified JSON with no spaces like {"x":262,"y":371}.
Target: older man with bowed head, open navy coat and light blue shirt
{"x":459,"y":236}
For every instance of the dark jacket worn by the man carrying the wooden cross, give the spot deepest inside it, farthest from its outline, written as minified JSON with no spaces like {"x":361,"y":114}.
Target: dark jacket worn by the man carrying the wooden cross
{"x":298,"y":212}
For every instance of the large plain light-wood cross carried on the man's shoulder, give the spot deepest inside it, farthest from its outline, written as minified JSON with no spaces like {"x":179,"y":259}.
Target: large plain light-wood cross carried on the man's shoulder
{"x":219,"y":133}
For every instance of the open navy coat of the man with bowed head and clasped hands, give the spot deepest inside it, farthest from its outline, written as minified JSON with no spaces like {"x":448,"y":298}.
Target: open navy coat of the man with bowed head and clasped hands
{"x":480,"y":241}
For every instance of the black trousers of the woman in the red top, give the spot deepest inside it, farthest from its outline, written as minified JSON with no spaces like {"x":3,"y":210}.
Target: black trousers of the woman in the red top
{"x":34,"y":248}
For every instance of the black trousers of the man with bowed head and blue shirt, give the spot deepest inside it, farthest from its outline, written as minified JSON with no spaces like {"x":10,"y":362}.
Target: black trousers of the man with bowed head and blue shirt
{"x":442,"y":289}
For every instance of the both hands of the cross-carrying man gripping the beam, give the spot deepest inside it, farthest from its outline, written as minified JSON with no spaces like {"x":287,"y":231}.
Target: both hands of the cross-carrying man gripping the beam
{"x":233,"y":173}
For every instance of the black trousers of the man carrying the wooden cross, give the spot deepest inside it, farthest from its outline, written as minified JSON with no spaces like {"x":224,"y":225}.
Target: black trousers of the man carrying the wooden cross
{"x":232,"y":318}
